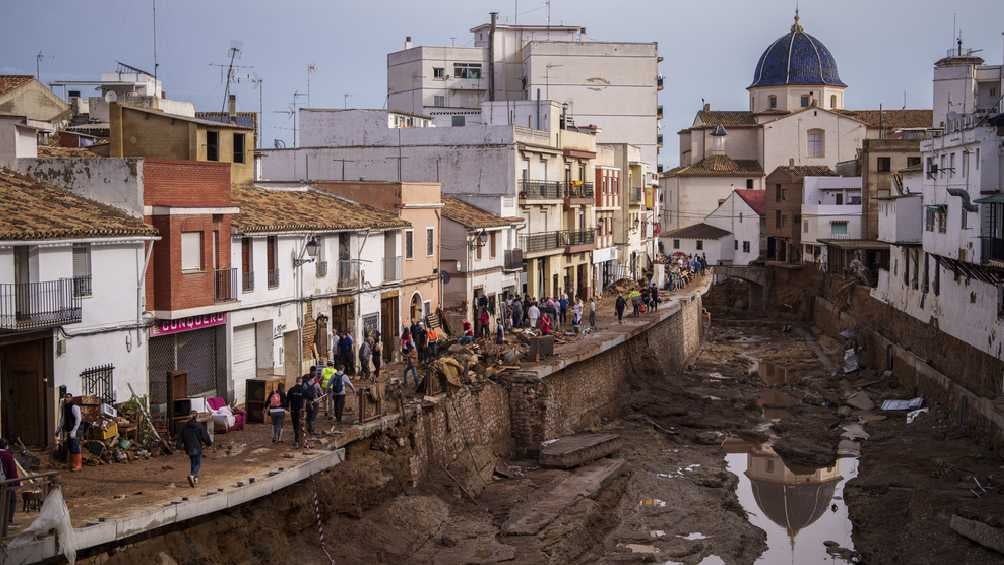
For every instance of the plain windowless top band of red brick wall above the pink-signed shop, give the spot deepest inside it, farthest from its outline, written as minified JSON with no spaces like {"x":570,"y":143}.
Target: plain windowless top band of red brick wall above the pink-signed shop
{"x":186,"y":184}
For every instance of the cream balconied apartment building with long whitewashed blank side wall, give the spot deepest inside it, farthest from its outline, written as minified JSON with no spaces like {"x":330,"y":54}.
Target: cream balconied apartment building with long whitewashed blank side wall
{"x":544,"y":173}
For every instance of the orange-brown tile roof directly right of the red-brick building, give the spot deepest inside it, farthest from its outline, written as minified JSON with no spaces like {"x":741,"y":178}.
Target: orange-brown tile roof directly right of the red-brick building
{"x":265,"y":210}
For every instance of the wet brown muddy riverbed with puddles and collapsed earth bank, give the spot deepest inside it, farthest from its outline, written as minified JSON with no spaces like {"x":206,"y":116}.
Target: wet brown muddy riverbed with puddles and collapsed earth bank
{"x":751,"y":455}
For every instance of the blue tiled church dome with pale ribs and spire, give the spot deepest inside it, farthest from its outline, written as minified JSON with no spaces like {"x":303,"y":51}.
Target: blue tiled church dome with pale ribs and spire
{"x":797,"y":59}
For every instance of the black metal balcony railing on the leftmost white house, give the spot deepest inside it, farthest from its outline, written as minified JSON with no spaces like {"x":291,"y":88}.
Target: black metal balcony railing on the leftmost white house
{"x":41,"y":305}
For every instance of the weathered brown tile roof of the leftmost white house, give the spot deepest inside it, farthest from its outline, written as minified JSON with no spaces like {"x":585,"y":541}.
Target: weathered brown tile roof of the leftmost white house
{"x":31,"y":210}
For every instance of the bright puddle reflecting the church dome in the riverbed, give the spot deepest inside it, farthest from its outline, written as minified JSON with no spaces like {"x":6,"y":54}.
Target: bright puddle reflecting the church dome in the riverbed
{"x":799,"y":508}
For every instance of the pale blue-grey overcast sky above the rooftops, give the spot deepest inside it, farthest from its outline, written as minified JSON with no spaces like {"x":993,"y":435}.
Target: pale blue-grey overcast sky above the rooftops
{"x":884,"y":48}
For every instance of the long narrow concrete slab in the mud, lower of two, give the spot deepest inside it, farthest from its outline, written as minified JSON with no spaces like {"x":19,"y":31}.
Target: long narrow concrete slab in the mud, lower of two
{"x":587,"y":481}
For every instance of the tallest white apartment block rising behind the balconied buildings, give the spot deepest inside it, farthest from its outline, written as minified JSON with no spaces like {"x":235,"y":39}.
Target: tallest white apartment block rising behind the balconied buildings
{"x":614,"y":86}
